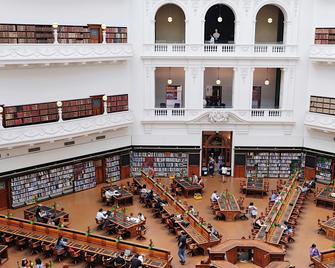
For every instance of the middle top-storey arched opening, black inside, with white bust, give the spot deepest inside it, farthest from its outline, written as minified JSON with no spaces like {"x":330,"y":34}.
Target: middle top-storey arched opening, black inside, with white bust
{"x":219,"y":24}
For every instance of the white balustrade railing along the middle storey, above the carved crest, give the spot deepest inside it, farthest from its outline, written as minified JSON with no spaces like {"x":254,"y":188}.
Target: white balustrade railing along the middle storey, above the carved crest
{"x":185,"y":115}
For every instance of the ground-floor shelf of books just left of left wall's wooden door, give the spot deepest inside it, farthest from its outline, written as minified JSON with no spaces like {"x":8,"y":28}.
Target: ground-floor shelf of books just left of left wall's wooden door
{"x":84,"y":176}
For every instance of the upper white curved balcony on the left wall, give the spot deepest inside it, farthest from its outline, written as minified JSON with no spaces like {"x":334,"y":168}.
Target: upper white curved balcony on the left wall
{"x":26,"y":54}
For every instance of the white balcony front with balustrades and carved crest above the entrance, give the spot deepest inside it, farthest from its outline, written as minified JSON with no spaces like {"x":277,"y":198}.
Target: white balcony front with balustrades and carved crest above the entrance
{"x":217,"y":115}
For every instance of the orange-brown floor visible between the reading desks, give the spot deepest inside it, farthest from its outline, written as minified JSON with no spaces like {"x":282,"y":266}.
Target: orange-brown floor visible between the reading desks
{"x":83,"y":206}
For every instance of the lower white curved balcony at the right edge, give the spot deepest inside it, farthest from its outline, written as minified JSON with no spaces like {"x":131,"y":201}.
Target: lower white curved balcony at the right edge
{"x":320,"y":122}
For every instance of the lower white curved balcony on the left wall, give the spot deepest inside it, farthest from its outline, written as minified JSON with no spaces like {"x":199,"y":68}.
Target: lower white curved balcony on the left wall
{"x":24,"y":135}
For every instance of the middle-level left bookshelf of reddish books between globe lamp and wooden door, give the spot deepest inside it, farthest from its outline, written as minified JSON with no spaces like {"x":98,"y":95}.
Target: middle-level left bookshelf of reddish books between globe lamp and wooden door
{"x":77,"y":108}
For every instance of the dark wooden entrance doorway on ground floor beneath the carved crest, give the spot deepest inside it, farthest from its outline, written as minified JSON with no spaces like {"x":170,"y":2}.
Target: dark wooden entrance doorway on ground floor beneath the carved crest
{"x":217,"y":144}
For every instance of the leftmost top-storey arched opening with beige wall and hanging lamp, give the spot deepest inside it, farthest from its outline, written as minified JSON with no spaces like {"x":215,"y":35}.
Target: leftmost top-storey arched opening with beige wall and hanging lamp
{"x":170,"y":24}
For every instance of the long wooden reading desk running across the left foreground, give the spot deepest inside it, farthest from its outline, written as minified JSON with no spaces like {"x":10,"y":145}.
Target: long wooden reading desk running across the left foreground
{"x":91,"y":243}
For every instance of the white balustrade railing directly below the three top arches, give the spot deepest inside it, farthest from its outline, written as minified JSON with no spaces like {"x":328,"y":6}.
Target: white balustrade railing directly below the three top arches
{"x":205,"y":50}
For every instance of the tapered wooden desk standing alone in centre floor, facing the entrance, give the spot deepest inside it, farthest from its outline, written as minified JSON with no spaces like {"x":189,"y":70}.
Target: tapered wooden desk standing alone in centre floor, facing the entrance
{"x":228,"y":206}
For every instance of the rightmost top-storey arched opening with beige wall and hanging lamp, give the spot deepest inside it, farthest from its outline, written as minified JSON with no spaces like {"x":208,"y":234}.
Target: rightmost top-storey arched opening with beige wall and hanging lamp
{"x":269,"y":25}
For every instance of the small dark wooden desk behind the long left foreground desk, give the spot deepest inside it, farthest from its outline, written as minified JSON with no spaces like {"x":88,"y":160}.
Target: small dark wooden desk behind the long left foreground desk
{"x":56,"y":215}
